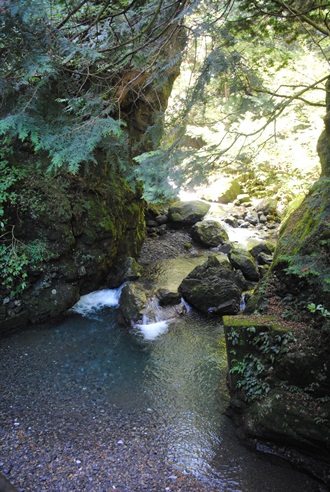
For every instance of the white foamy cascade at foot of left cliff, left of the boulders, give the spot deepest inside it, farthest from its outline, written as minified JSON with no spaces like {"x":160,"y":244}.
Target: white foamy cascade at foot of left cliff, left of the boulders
{"x":97,"y":300}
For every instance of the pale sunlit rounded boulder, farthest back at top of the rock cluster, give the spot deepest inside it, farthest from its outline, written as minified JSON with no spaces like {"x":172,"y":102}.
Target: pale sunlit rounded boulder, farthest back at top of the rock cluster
{"x":188,"y":213}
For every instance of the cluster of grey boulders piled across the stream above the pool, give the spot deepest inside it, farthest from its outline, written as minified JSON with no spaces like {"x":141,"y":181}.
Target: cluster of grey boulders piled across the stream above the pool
{"x":215,"y":287}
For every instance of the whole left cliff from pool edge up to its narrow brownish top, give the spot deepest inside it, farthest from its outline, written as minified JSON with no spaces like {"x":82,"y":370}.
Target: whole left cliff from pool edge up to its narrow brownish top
{"x":76,"y":230}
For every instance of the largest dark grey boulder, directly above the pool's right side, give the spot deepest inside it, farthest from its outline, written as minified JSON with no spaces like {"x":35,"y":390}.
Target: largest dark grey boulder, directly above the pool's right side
{"x":212,"y":288}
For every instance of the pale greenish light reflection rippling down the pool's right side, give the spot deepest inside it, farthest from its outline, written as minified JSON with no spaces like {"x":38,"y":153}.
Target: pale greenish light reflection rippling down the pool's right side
{"x":182,"y":379}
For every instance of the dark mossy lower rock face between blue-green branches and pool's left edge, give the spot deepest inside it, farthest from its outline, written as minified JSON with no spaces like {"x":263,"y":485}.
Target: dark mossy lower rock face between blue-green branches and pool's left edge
{"x":74,"y":233}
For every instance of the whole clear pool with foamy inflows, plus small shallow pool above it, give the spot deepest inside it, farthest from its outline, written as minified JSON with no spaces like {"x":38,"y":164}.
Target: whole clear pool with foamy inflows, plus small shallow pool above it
{"x":89,"y":405}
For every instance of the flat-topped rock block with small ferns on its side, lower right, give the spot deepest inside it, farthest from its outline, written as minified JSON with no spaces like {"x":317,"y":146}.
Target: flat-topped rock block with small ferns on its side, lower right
{"x":266,"y":371}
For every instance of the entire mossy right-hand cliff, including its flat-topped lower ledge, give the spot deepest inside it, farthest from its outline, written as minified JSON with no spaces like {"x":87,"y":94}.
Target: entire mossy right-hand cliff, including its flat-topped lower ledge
{"x":281,"y":394}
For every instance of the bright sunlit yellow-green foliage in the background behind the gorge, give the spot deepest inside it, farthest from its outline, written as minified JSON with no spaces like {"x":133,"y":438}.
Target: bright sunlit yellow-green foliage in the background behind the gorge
{"x":252,"y":70}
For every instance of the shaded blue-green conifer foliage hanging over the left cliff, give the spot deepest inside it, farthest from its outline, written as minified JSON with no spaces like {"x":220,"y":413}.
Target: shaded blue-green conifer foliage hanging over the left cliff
{"x":69,"y":69}
